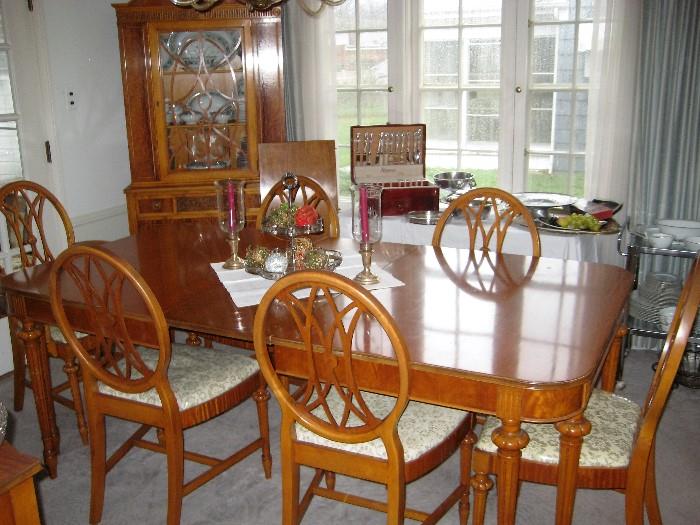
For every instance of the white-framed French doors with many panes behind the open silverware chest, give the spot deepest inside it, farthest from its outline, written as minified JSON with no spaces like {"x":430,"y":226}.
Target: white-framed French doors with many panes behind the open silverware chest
{"x":502,"y":85}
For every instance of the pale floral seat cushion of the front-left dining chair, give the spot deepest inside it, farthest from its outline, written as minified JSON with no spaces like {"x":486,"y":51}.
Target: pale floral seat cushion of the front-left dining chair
{"x":196,"y":374}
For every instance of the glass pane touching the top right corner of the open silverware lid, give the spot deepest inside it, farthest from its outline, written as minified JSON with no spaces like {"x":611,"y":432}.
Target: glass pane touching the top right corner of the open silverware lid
{"x":441,"y":115}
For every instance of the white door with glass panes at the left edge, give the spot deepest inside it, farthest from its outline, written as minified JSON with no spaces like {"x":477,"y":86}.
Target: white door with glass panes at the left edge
{"x":24,"y":117}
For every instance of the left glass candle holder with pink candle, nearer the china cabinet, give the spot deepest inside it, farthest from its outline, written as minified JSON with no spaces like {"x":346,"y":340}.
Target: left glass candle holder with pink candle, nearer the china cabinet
{"x":230,"y":204}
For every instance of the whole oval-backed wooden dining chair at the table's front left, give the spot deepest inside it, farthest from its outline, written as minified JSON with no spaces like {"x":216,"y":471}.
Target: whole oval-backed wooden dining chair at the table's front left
{"x":139,"y":375}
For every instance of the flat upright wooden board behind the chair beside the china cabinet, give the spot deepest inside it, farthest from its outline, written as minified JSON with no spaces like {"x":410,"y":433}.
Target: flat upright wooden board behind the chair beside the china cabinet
{"x":314,"y":159}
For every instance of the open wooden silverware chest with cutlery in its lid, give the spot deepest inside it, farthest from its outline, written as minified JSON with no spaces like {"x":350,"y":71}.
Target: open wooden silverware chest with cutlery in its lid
{"x":394,"y":157}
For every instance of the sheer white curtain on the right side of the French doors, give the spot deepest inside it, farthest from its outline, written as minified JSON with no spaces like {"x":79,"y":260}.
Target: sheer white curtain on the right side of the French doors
{"x":611,"y":98}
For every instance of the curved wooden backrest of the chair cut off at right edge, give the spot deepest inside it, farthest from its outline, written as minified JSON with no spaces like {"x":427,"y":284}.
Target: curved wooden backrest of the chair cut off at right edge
{"x":664,"y":377}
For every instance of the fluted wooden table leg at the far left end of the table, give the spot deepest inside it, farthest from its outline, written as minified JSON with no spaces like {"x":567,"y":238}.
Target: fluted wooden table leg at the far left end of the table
{"x":38,"y":363}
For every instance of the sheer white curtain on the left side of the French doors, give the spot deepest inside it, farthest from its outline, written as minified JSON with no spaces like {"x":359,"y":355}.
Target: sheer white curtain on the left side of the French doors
{"x":310,"y":42}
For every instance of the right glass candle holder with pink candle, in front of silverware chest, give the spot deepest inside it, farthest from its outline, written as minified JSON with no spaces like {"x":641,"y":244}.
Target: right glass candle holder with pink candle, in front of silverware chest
{"x":366,"y":225}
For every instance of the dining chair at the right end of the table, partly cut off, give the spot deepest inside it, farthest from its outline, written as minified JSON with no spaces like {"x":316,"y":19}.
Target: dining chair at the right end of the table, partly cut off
{"x":619,"y":451}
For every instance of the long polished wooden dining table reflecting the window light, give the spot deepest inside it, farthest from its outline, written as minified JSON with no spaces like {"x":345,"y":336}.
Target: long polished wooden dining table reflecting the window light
{"x":517,"y":337}
